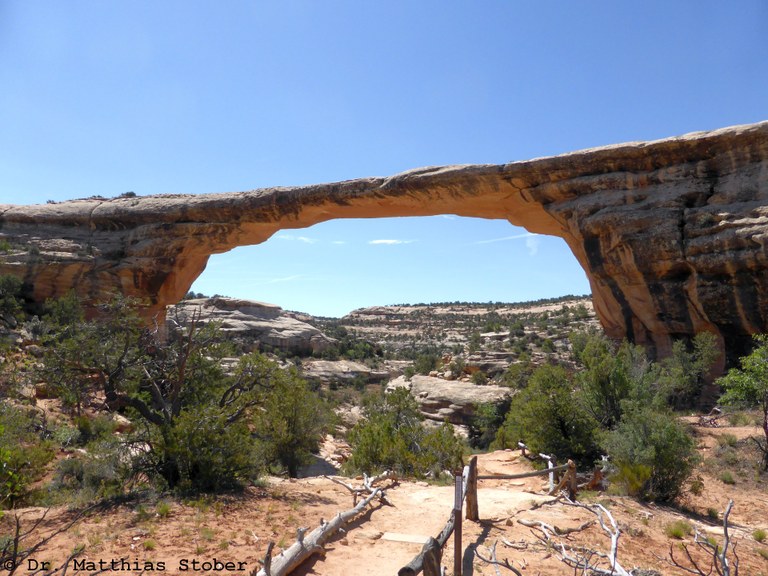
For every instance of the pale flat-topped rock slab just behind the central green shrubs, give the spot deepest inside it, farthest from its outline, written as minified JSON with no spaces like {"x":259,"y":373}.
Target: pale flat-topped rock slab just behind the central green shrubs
{"x":453,"y":401}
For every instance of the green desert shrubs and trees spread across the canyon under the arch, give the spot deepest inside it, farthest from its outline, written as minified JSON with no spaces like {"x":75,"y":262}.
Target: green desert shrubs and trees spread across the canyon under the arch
{"x":101,"y":407}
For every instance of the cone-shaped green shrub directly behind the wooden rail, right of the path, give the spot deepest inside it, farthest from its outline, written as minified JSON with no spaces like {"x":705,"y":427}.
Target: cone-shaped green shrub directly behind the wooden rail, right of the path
{"x":545,"y":416}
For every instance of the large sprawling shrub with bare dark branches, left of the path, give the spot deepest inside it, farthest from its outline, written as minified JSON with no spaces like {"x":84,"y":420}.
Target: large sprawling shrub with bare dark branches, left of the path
{"x":197,"y":427}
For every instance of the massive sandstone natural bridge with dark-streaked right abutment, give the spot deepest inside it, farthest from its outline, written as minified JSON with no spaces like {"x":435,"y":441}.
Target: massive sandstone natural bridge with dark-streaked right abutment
{"x":672,"y":233}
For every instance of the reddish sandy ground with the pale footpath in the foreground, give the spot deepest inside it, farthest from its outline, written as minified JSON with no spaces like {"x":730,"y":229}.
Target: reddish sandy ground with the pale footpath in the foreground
{"x":235,"y":530}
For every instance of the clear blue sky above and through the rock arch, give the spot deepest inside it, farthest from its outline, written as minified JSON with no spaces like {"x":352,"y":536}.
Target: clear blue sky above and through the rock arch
{"x":104,"y":97}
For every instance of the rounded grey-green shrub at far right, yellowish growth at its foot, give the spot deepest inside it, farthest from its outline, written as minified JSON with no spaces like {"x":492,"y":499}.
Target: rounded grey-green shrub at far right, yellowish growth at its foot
{"x":655,"y":442}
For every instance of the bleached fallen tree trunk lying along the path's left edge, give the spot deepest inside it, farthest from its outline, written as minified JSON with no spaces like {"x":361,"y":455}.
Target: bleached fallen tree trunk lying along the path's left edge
{"x":308,"y":544}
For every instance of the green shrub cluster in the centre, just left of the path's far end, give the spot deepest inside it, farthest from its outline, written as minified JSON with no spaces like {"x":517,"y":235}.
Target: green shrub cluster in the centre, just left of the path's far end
{"x":391,"y":437}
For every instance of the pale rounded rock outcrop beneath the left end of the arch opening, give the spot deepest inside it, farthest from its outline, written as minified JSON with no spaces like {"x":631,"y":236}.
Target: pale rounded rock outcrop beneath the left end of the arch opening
{"x":256,"y":325}
